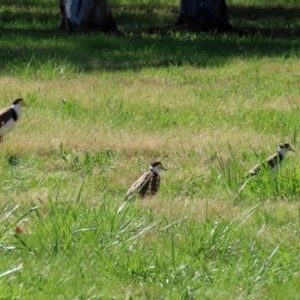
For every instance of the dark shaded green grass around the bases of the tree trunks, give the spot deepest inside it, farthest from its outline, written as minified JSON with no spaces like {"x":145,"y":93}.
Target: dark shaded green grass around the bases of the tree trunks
{"x":137,"y":48}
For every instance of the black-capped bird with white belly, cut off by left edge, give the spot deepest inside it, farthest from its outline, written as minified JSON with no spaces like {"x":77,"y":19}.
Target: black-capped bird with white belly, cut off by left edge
{"x":10,"y":116}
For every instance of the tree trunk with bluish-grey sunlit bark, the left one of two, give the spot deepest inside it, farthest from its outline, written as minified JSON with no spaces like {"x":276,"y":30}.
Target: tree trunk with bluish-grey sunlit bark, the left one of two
{"x":86,"y":15}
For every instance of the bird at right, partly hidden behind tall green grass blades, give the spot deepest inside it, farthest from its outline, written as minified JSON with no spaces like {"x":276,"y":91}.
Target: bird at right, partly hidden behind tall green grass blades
{"x":274,"y":160}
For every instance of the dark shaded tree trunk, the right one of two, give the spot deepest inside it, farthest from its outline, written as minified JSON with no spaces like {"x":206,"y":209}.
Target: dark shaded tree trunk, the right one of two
{"x":204,"y":14}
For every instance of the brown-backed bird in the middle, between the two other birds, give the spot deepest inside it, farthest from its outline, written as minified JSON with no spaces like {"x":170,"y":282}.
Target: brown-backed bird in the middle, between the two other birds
{"x":148,"y":183}
